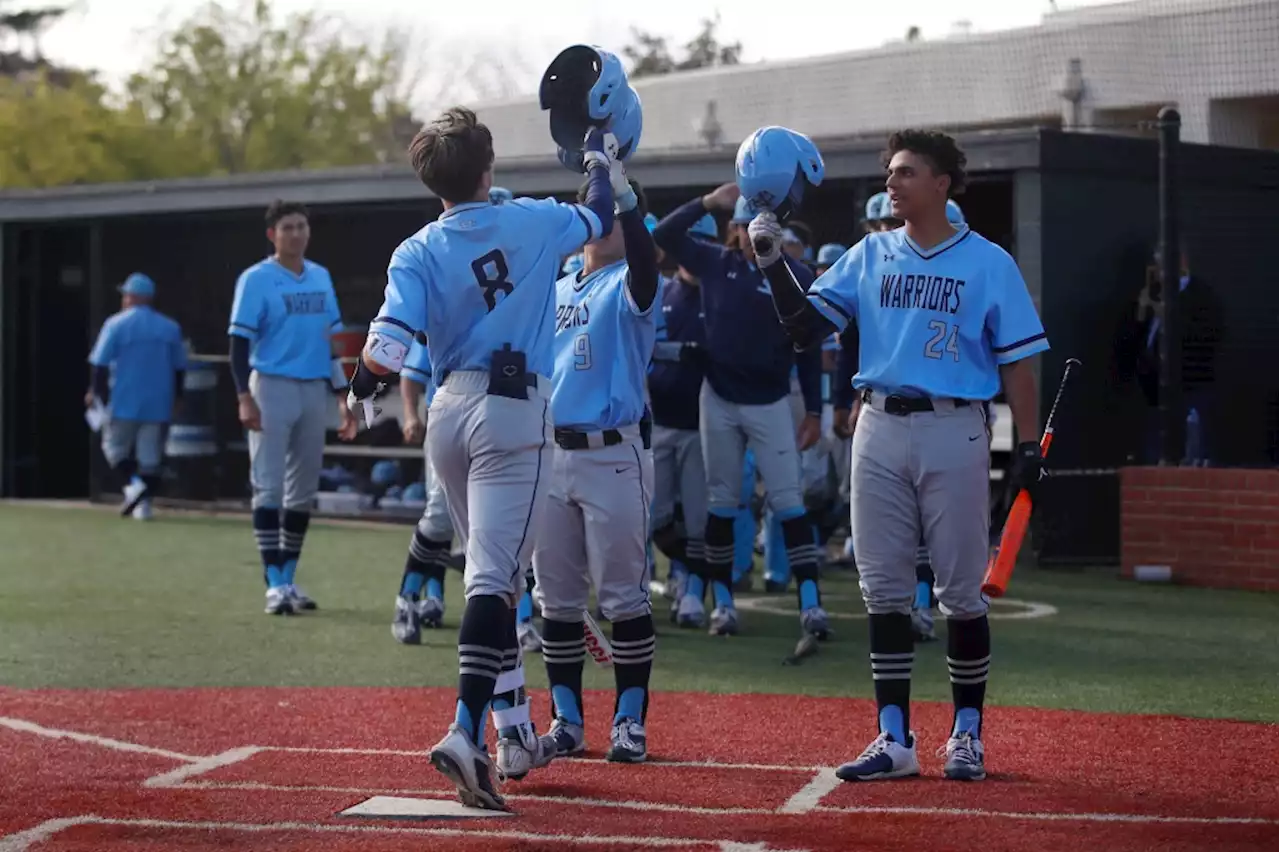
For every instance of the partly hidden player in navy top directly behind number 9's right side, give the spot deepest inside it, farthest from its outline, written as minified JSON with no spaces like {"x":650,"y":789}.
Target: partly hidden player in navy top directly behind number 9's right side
{"x":675,"y":383}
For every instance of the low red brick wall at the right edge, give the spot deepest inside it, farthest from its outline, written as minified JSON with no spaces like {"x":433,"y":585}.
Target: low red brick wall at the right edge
{"x":1215,"y":528}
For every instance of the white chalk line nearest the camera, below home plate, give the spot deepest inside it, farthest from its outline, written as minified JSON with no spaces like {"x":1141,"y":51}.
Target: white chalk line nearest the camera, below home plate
{"x":48,"y":830}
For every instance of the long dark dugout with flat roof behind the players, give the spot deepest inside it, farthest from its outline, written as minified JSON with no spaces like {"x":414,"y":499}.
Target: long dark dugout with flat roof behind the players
{"x":1078,"y":212}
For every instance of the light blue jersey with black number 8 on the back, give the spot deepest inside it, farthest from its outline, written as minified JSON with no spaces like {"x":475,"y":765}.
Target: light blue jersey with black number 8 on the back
{"x":482,"y":277}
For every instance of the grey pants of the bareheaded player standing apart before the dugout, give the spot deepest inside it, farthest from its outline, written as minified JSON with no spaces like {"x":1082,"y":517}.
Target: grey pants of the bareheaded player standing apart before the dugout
{"x":286,"y":456}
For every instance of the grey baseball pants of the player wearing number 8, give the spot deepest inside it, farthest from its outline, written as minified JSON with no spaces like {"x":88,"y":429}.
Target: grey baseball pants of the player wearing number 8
{"x":492,"y":456}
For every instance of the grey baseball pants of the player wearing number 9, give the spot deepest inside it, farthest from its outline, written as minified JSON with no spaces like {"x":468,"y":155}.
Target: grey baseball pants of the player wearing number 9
{"x":595,"y":533}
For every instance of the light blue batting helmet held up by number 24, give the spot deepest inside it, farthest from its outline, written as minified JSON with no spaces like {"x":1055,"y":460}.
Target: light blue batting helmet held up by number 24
{"x":774,"y":167}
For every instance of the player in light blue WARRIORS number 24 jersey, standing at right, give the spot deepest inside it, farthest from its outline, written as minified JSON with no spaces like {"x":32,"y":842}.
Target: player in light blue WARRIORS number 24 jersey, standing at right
{"x":945,"y":320}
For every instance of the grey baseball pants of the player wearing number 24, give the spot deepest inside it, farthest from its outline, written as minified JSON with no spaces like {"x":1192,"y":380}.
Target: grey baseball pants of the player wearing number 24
{"x":922,"y":473}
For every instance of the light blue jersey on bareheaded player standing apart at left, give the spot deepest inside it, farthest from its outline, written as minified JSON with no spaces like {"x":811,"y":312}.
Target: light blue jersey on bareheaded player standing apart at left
{"x":287,"y":319}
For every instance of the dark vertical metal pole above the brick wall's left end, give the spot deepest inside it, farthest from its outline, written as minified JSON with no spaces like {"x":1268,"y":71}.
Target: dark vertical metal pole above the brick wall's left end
{"x":1172,"y":413}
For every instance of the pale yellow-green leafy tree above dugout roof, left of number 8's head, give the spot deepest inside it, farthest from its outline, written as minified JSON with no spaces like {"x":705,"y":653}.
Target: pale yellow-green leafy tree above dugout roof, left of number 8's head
{"x":253,"y":95}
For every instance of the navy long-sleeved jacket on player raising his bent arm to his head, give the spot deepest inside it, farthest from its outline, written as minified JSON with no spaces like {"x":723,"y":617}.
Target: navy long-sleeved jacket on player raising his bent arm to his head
{"x":749,"y":355}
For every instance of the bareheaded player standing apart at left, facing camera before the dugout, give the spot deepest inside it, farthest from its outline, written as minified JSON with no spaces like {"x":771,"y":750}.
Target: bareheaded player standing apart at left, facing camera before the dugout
{"x":286,"y":369}
